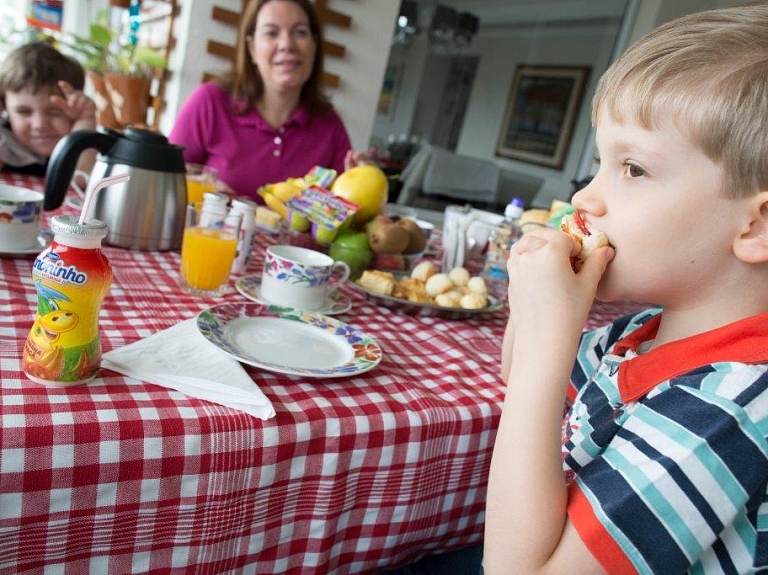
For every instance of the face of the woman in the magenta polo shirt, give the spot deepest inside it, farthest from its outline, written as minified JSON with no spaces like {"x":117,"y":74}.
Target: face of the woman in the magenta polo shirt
{"x":282,"y":46}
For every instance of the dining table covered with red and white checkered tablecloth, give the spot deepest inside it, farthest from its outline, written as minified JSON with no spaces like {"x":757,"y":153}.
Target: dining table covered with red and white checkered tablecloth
{"x":358,"y":473}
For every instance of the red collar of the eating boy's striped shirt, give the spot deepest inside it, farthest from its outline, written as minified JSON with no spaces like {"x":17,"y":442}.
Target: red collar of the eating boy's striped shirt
{"x":745,"y":341}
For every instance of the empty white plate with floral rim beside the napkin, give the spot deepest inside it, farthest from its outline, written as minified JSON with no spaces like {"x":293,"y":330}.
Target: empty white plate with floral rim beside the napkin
{"x":269,"y":336}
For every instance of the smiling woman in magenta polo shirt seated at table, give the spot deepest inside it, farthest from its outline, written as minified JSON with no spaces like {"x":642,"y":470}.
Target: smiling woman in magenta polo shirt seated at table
{"x":268,"y":118}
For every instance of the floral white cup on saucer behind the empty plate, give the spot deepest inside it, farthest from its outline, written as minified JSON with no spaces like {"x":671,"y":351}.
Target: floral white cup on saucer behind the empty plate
{"x":299,"y":277}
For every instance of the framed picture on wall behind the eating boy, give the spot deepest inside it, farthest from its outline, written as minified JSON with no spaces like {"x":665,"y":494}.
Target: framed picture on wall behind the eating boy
{"x":541,"y":110}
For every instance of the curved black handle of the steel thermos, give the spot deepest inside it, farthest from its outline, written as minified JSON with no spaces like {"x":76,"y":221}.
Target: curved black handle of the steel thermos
{"x":64,"y":158}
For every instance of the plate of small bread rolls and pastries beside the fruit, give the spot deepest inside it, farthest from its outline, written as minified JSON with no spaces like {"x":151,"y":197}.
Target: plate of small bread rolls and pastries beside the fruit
{"x":426,"y":291}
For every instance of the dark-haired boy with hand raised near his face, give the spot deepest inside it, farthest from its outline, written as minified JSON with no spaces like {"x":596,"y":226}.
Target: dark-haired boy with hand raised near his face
{"x":42,"y":101}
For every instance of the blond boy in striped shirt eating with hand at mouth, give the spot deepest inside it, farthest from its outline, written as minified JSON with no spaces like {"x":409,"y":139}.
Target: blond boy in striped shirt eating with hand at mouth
{"x":661,"y":462}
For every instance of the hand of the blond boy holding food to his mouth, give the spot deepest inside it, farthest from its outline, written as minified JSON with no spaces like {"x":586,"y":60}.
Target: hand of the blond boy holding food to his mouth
{"x":545,"y":295}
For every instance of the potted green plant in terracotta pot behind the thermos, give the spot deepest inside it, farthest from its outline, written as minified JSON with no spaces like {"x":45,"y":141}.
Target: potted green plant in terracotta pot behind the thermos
{"x":120,"y":70}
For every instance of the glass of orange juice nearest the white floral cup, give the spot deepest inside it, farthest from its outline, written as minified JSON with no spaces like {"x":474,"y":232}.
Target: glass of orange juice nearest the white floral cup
{"x":208,"y":250}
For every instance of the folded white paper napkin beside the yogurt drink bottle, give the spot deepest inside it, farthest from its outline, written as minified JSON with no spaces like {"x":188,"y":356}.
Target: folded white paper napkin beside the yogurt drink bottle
{"x":180,"y":358}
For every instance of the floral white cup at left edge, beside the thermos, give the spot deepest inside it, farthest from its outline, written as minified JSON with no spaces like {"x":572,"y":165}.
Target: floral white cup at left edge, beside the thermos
{"x":20,"y":210}
